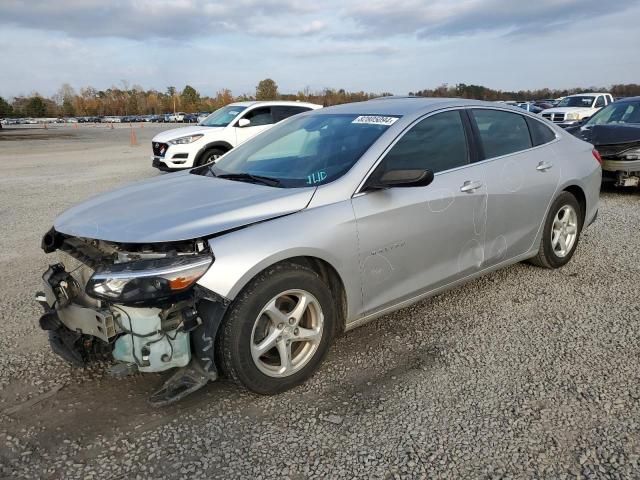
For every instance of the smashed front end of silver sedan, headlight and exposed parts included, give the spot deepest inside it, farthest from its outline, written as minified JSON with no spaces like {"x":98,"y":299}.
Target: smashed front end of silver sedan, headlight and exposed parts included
{"x":137,"y":304}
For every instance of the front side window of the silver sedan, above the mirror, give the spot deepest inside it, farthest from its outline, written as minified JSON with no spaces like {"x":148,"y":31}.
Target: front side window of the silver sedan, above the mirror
{"x":437,"y":143}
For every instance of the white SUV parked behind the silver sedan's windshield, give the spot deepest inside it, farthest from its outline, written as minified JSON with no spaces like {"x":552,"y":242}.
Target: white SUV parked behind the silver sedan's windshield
{"x":218,"y":133}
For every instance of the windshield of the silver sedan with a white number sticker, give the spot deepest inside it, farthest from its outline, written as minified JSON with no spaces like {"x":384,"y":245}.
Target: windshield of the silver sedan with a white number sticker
{"x":304,"y":151}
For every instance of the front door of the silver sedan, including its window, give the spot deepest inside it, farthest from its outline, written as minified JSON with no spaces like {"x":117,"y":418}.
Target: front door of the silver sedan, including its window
{"x":416,"y":239}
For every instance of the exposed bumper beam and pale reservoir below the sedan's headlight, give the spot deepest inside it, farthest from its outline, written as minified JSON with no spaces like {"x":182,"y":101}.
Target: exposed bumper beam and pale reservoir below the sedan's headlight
{"x":82,"y":330}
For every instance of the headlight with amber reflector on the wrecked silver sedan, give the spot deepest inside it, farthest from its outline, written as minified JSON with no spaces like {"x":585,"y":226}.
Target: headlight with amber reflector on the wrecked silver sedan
{"x":144,"y":280}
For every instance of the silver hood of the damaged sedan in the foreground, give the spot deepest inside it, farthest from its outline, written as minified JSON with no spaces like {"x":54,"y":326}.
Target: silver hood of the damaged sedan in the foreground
{"x":178,"y":206}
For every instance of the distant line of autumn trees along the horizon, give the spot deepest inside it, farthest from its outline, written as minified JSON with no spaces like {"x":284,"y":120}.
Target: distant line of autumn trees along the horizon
{"x":134,"y":100}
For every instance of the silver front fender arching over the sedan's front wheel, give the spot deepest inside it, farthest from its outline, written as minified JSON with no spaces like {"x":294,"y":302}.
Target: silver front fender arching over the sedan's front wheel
{"x":328,"y":233}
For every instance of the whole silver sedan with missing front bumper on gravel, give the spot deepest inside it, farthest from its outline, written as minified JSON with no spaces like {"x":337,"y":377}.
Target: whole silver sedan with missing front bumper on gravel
{"x":252,"y":264}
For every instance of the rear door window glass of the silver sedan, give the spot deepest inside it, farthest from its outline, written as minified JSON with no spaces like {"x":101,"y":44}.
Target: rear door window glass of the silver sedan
{"x":501,"y":132}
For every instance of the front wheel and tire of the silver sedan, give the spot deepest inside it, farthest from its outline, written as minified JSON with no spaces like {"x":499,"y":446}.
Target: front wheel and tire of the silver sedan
{"x":246,"y":326}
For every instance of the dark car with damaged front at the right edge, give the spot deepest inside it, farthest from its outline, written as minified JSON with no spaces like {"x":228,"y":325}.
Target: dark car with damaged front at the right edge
{"x":615,"y":132}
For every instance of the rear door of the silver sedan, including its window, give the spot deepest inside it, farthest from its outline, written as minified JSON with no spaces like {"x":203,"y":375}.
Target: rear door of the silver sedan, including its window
{"x":522,"y":177}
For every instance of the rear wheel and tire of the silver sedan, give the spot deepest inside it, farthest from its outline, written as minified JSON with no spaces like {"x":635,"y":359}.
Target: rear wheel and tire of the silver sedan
{"x":551,"y":253}
